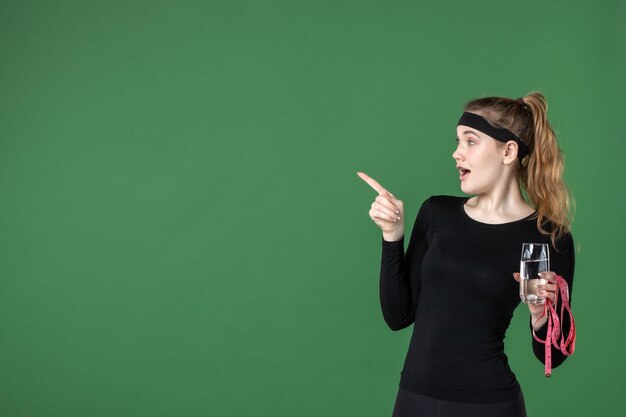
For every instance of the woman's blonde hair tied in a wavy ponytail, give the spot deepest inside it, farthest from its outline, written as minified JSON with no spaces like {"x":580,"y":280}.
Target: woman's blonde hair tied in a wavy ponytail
{"x":541,"y":171}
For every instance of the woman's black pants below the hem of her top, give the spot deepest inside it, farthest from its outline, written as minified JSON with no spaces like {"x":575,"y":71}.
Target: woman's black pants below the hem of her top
{"x":410,"y":404}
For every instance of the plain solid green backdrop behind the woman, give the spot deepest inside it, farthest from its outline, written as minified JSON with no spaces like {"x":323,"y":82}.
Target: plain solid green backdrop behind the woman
{"x":182,"y":228}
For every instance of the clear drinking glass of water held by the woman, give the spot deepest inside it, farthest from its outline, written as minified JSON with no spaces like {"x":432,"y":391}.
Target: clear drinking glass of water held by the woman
{"x":535,"y":259}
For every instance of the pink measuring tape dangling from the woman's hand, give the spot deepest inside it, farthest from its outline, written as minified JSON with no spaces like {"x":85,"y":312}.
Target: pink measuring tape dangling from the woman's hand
{"x":555,"y":335}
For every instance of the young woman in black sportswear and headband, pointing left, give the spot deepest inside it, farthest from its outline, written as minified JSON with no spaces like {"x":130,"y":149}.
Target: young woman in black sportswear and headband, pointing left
{"x":458,"y":280}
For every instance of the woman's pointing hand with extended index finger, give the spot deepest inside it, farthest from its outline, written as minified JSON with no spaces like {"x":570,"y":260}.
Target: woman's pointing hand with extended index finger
{"x":387,"y":211}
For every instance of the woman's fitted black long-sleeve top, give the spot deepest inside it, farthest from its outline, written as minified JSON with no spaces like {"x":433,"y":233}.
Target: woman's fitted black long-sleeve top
{"x":455,"y":283}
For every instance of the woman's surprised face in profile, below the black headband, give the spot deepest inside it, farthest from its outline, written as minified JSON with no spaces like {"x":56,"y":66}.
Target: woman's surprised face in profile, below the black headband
{"x":479,"y":159}
